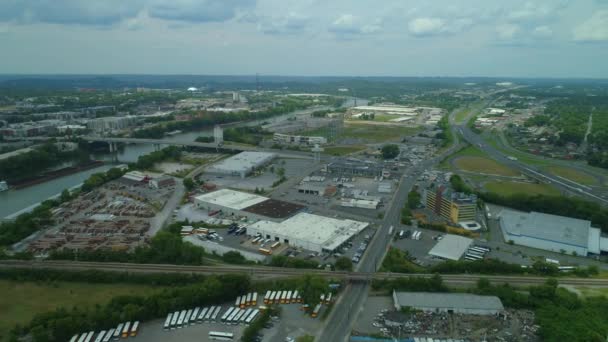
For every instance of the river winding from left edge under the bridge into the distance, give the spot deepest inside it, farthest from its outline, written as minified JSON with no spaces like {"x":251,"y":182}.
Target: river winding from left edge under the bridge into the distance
{"x":13,"y":201}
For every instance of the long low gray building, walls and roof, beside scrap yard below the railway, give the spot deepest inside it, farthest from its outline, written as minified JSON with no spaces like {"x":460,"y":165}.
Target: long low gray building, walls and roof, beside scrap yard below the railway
{"x":462,"y":303}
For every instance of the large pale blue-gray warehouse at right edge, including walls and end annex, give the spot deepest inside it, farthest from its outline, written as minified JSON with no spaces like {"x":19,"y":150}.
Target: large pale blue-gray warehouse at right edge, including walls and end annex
{"x":551,"y":232}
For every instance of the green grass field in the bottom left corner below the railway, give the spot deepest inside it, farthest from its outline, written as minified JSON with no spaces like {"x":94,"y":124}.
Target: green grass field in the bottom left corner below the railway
{"x":20,"y":301}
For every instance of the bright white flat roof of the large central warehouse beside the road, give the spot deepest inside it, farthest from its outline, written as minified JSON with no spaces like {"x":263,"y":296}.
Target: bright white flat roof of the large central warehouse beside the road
{"x":320,"y":230}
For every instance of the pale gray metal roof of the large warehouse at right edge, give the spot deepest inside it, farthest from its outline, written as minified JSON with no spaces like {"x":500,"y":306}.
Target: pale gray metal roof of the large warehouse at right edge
{"x":547,"y":227}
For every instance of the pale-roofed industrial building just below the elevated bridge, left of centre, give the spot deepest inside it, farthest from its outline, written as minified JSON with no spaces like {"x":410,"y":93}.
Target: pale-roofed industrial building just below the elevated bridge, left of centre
{"x":242,"y":164}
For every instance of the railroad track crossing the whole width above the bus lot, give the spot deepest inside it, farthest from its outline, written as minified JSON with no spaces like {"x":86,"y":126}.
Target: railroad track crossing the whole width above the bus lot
{"x":452,"y":279}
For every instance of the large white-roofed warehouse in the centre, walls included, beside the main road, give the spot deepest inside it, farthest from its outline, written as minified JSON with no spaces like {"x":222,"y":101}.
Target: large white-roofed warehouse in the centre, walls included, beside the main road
{"x":308,"y":231}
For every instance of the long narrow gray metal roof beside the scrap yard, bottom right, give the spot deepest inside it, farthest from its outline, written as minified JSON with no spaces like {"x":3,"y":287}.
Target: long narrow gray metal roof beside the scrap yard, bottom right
{"x":432,"y":300}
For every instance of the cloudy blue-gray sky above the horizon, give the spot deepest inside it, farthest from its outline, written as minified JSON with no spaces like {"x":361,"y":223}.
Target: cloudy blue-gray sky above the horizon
{"x":494,"y":38}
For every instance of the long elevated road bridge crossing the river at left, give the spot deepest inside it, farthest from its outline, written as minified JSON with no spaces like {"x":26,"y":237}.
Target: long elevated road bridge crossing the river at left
{"x":229,"y":147}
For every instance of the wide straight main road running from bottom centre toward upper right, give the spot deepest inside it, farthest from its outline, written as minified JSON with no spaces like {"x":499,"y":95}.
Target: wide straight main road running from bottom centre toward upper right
{"x":340,"y":322}
